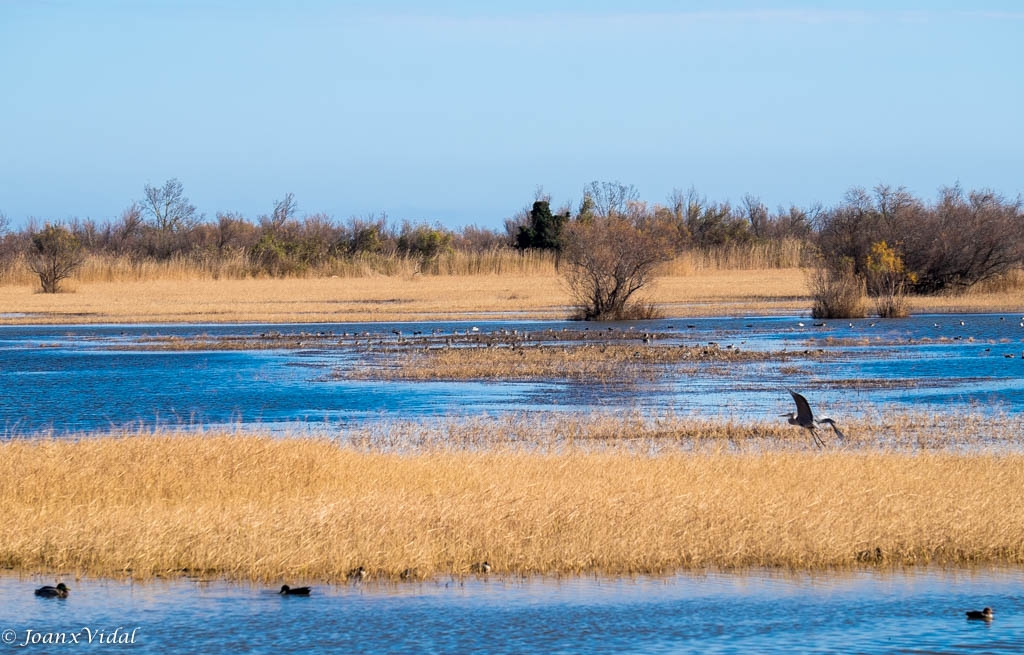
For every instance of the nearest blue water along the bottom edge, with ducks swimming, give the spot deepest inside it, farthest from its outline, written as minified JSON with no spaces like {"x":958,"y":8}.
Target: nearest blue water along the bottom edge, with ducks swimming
{"x":866,"y":613}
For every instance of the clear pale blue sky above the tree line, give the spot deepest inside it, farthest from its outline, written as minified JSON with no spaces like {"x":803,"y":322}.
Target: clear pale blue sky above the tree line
{"x":458,"y":112}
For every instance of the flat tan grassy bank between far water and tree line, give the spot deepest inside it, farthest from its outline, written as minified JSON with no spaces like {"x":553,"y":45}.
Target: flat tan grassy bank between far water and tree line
{"x":414,"y":297}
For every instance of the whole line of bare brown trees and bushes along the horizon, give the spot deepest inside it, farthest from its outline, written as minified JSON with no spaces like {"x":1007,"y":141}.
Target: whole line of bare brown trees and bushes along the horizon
{"x":608,"y":246}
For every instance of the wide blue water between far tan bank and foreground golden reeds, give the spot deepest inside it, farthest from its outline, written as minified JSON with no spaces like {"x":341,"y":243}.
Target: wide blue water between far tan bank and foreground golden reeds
{"x":68,"y":379}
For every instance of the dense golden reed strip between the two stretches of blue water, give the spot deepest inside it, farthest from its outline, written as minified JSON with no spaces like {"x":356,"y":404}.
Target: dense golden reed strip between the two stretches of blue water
{"x":257,"y":508}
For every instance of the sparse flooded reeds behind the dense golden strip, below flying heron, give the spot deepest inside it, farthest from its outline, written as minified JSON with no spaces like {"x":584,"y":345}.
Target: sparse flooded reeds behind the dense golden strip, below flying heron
{"x":671,"y":432}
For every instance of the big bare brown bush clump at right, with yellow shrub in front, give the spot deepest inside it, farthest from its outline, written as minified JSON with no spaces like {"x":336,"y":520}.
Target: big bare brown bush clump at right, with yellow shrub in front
{"x":889,"y":243}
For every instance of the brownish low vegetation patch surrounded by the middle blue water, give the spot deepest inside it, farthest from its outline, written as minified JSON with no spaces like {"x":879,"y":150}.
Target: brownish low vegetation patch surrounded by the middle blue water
{"x":506,"y":355}
